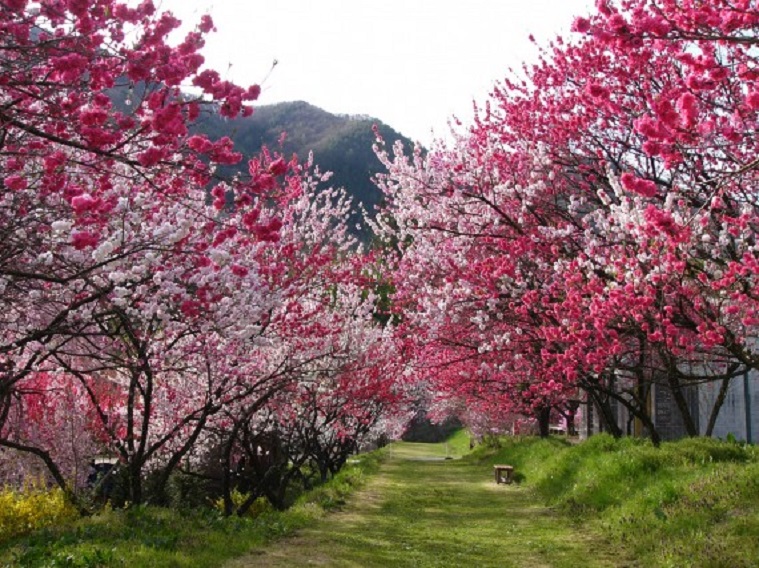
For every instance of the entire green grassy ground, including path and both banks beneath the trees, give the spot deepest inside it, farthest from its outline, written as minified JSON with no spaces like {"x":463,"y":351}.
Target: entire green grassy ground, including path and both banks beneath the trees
{"x":690,"y":503}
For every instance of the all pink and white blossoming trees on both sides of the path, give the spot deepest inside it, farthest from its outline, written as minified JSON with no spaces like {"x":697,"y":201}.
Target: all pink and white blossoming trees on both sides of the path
{"x":591,"y":236}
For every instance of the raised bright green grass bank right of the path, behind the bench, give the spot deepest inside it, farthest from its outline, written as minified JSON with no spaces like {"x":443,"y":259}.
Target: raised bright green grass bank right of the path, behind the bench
{"x":694,"y":502}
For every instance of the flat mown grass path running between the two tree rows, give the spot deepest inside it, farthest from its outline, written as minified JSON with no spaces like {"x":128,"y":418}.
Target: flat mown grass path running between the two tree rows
{"x":422,"y":510}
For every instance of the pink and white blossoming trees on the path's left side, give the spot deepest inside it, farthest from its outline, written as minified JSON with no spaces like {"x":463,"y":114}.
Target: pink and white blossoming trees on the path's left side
{"x":151,"y":310}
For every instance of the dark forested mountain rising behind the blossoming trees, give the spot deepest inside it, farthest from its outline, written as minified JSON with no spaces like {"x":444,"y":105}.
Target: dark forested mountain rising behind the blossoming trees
{"x":341,"y":144}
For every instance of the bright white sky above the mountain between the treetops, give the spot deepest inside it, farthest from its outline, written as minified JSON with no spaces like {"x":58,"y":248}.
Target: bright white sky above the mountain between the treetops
{"x":410,"y":63}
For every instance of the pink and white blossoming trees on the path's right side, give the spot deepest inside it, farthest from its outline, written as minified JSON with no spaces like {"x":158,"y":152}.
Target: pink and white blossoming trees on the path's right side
{"x":595,"y":232}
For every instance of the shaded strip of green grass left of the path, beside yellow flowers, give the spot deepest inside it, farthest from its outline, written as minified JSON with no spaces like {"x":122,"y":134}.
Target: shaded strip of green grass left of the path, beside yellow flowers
{"x":156,"y":537}
